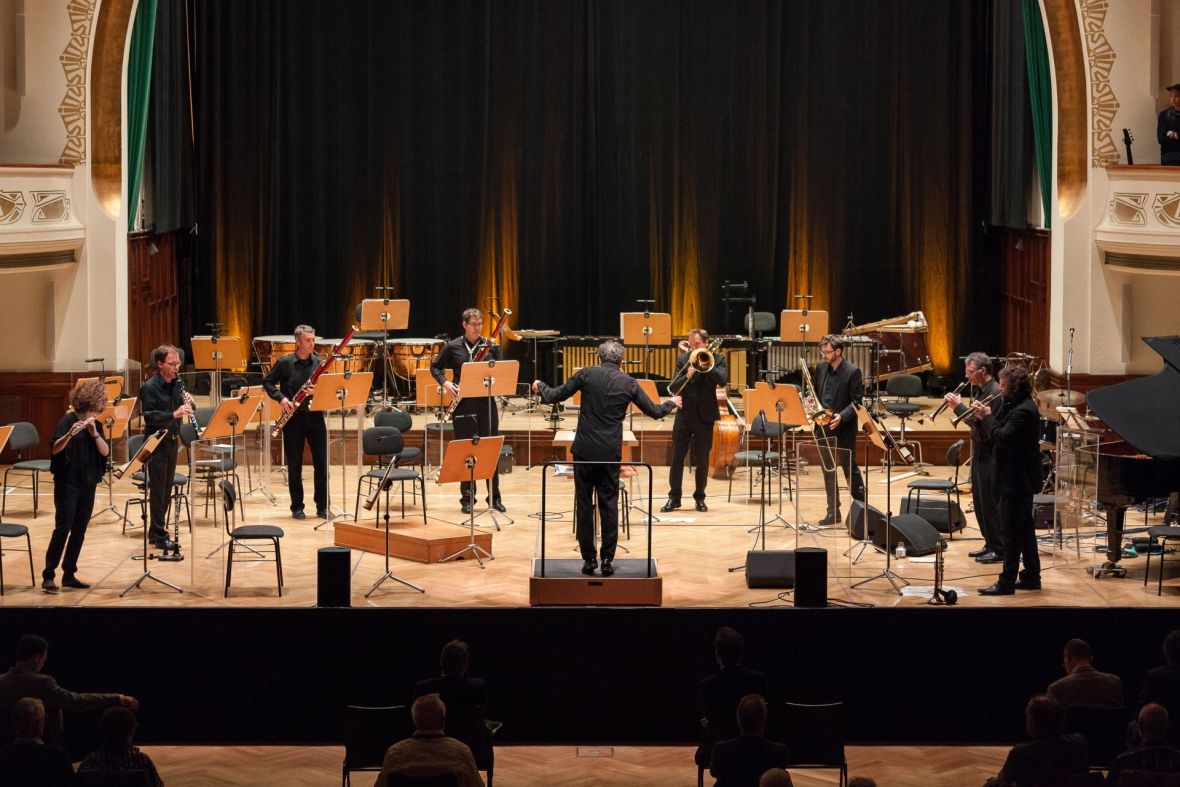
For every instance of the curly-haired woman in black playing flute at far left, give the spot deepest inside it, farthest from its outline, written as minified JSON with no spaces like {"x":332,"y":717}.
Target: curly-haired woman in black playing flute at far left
{"x":78,"y":460}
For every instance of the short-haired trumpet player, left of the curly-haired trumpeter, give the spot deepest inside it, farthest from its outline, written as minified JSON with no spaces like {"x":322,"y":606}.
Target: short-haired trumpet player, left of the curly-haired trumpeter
{"x":984,"y":461}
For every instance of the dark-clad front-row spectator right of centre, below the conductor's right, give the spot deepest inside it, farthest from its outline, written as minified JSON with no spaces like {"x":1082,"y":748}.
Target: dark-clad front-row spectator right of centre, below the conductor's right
{"x":719,"y":694}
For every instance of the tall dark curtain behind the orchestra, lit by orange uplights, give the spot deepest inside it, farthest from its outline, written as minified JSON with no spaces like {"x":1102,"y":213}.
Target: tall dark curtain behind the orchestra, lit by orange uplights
{"x":572,"y":158}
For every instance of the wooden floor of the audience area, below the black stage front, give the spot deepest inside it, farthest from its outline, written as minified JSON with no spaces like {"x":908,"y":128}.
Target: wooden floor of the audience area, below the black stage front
{"x":569,"y":766}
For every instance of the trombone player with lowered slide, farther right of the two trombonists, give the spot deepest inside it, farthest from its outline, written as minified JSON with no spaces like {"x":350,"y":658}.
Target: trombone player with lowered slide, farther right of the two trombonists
{"x":840,"y":384}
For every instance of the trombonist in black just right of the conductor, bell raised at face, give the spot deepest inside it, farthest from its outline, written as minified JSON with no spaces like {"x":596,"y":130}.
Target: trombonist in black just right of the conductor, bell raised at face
{"x":694,"y":422}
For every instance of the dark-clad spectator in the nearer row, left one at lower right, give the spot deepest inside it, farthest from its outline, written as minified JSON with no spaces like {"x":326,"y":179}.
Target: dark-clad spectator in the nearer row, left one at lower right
{"x":1050,"y":756}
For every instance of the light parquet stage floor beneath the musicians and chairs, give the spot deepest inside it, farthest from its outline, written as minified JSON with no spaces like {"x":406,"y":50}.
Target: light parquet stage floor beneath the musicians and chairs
{"x":694,"y":552}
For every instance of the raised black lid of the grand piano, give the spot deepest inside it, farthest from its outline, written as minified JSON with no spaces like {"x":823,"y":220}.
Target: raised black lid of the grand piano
{"x":1146,"y":412}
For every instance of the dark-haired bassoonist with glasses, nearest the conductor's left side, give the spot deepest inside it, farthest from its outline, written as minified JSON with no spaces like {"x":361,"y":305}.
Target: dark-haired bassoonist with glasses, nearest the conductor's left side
{"x":471,"y":416}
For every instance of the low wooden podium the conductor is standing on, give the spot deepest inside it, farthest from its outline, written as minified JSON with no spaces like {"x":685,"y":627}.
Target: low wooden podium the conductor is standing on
{"x":565,"y":585}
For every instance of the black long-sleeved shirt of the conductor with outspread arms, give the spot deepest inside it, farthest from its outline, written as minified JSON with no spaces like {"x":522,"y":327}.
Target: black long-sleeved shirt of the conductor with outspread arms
{"x":606,"y":395}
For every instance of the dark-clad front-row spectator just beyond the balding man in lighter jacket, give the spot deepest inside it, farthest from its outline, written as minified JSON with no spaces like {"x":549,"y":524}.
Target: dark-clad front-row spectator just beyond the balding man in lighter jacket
{"x":466,"y":700}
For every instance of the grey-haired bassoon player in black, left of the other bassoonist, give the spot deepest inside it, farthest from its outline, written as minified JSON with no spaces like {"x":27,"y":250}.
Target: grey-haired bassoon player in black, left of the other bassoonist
{"x":283,"y":384}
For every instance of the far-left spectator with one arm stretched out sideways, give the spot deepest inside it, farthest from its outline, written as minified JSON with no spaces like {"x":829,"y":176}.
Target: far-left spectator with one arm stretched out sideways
{"x":25,"y":680}
